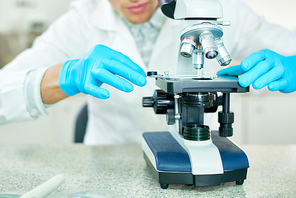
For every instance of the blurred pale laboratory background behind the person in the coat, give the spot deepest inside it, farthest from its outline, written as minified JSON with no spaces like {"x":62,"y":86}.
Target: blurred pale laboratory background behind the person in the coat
{"x":261,"y":117}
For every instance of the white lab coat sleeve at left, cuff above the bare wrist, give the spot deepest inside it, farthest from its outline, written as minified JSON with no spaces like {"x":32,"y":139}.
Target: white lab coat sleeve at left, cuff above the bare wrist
{"x":21,"y":78}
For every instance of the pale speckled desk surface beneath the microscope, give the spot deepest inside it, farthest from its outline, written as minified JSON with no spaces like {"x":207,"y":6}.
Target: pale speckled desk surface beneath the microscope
{"x":122,"y":170}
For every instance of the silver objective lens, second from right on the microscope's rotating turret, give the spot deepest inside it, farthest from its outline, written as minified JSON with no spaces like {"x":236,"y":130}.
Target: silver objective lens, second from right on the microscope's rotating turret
{"x":208,"y":43}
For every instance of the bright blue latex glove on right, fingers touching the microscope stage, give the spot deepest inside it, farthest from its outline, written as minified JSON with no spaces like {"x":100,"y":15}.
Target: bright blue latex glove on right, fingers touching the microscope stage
{"x":266,"y":68}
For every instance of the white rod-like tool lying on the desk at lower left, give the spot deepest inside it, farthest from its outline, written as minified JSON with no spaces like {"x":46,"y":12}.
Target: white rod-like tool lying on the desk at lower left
{"x":46,"y":188}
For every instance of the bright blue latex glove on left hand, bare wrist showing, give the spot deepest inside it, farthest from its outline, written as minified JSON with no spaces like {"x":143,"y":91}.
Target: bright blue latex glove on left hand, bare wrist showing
{"x":100,"y":65}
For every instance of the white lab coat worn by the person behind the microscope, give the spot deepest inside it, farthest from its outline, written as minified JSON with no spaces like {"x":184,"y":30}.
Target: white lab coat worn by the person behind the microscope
{"x":121,"y":118}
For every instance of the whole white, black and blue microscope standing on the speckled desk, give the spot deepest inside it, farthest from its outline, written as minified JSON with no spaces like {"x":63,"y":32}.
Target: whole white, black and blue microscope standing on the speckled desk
{"x":193,"y":154}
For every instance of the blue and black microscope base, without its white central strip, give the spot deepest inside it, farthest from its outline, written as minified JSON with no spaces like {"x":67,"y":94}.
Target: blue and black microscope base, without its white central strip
{"x":170,"y":163}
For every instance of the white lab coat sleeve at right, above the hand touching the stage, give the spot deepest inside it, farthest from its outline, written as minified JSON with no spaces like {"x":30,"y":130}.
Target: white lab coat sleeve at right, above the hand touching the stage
{"x":250,"y":32}
